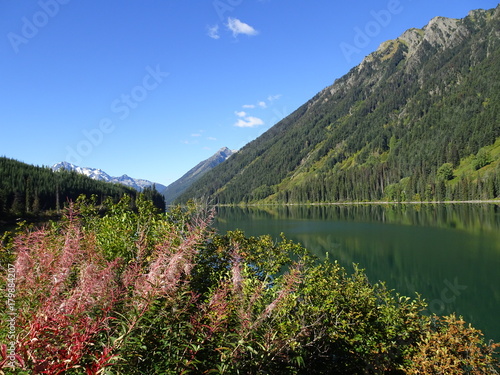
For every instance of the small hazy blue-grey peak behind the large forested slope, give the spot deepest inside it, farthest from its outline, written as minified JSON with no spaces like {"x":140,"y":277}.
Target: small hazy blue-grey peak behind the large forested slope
{"x":176,"y":188}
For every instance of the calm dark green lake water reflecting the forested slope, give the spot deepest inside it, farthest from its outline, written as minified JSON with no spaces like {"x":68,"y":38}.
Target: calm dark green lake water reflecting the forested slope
{"x":449,"y":253}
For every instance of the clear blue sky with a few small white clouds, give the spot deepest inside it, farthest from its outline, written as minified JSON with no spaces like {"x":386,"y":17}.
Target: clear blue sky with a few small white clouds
{"x":150,"y":88}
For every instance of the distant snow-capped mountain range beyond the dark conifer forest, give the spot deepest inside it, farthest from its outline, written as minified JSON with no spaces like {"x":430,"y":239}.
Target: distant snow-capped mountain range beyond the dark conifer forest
{"x":100,"y":175}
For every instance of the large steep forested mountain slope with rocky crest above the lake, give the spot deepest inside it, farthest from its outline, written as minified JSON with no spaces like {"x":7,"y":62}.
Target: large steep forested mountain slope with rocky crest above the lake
{"x":416,"y":120}
